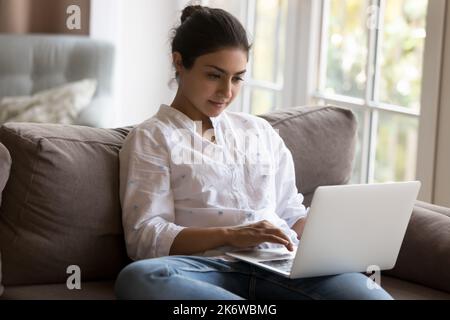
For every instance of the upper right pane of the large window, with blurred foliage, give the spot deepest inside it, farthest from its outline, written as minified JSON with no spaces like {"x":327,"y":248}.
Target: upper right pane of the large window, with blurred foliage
{"x":402,"y":52}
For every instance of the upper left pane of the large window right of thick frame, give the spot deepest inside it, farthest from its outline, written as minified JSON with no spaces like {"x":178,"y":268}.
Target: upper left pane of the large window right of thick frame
{"x":347,"y":48}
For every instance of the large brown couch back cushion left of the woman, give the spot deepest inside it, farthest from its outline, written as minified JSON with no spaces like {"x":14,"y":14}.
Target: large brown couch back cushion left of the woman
{"x":61,"y":204}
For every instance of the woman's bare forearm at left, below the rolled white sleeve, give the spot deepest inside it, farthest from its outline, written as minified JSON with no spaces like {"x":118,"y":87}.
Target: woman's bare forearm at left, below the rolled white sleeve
{"x":194,"y":240}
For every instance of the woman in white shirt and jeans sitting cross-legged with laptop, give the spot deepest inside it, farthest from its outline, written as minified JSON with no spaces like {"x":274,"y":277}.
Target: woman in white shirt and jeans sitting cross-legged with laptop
{"x":184,"y":206}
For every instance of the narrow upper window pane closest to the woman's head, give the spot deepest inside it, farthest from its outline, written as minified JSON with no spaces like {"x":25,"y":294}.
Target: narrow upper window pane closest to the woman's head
{"x":269,"y":40}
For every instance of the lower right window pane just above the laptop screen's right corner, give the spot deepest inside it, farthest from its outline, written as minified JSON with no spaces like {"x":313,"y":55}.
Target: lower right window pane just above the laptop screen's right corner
{"x":396,"y":149}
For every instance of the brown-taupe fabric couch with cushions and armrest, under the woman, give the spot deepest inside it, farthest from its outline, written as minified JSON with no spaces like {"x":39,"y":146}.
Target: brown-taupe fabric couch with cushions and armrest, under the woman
{"x":60,"y":206}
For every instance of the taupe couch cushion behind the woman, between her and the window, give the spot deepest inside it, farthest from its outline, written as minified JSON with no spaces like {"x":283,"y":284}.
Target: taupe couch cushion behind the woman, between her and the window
{"x":322,"y":141}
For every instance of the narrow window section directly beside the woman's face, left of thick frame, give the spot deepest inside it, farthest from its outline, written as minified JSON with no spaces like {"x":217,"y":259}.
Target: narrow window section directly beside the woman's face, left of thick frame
{"x":266,"y":22}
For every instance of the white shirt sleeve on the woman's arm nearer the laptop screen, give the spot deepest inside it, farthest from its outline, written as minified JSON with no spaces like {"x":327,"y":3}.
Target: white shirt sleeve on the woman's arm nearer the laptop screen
{"x":289,"y":202}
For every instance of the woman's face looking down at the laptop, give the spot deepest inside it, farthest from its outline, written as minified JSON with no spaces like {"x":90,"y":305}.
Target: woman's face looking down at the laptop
{"x":212,"y":83}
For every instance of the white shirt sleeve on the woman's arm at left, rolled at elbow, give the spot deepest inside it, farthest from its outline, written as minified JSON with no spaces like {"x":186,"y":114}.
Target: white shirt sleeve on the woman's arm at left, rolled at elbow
{"x":146,"y":196}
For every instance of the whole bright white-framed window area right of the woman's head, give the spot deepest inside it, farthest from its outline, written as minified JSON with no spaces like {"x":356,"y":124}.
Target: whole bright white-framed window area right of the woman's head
{"x":381,"y":58}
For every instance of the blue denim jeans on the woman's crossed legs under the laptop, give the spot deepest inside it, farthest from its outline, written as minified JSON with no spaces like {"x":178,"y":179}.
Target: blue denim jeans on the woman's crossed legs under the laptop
{"x":206,"y":278}
